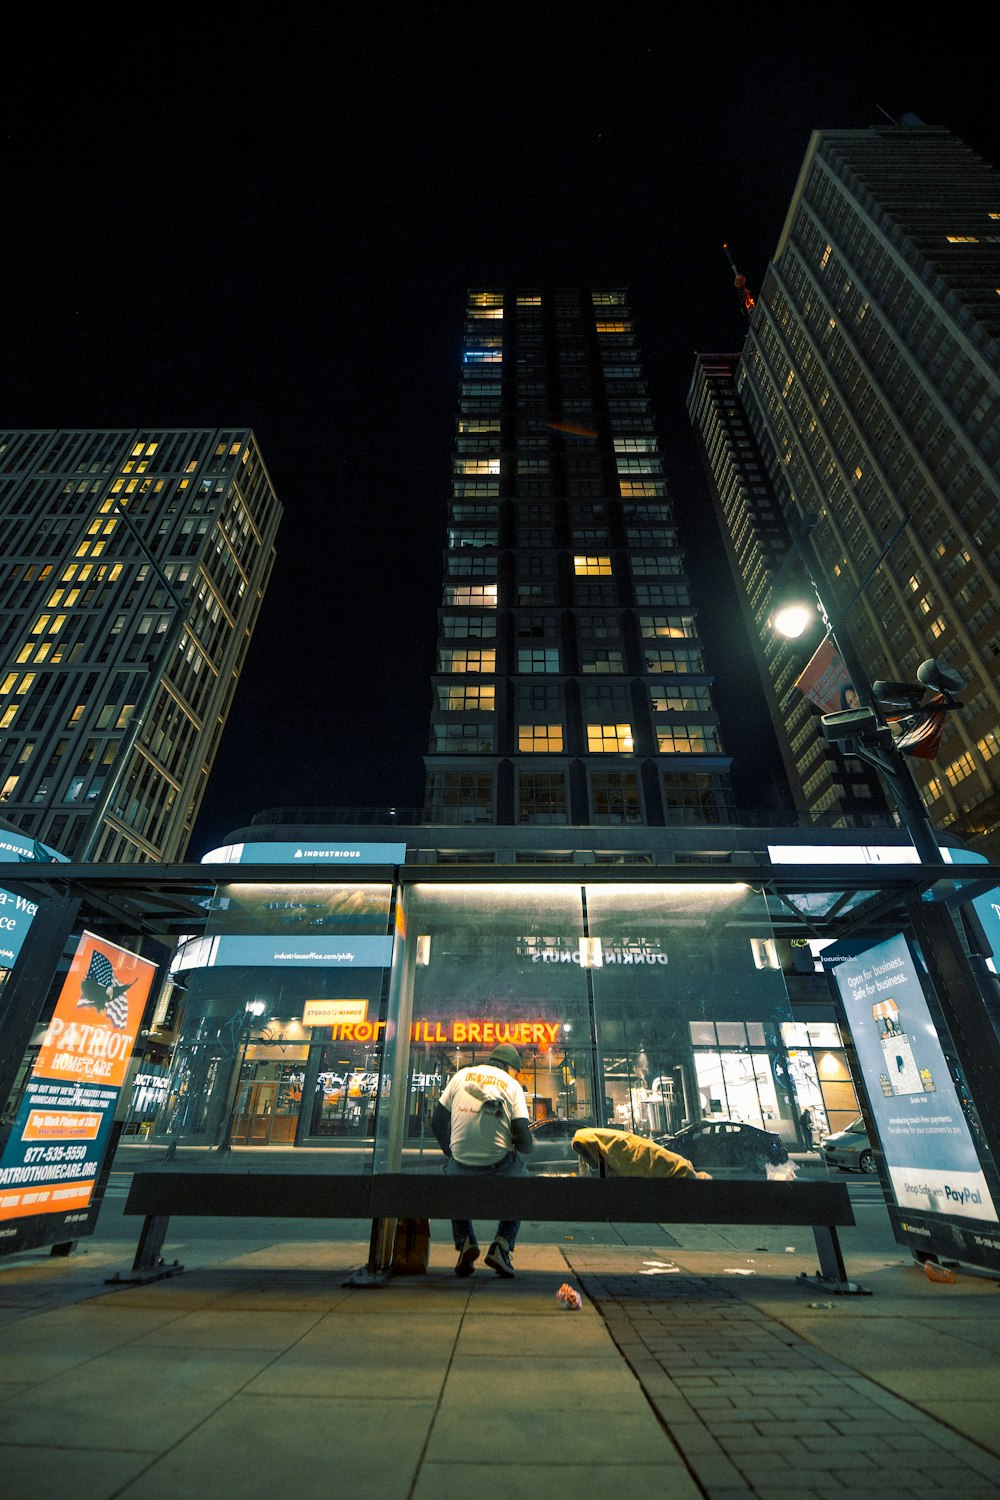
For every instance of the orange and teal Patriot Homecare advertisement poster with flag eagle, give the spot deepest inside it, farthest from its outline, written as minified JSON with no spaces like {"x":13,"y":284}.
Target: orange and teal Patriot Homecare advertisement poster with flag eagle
{"x":61,"y":1133}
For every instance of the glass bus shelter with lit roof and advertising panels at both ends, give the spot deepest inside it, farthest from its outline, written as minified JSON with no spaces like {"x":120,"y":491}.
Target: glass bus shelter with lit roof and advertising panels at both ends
{"x":325,"y":1010}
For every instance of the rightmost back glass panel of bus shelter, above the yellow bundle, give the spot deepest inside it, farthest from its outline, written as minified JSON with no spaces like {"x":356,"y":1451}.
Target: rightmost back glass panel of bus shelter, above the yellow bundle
{"x":690,"y":1043}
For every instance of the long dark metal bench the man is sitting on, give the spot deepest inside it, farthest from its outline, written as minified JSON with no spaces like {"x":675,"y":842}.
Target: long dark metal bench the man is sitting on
{"x":389,"y":1198}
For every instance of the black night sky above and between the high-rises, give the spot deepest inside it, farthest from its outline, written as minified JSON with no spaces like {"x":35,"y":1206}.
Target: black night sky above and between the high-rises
{"x":274,"y":223}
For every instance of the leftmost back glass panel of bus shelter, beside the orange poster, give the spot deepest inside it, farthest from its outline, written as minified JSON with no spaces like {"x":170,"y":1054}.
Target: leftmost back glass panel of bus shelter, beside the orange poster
{"x":286,"y":988}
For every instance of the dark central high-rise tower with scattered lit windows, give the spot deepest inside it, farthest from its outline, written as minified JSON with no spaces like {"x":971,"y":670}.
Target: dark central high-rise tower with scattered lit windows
{"x":570,"y":682}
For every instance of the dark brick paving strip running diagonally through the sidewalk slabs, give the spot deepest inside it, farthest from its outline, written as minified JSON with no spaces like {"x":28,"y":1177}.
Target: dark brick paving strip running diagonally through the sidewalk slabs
{"x":761,"y":1412}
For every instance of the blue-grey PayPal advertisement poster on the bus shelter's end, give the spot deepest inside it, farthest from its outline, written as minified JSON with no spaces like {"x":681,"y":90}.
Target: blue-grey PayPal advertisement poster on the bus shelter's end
{"x":929,"y":1150}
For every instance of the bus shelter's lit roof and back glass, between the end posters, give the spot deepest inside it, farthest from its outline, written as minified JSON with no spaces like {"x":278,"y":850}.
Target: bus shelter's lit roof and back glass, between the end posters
{"x":639,"y":997}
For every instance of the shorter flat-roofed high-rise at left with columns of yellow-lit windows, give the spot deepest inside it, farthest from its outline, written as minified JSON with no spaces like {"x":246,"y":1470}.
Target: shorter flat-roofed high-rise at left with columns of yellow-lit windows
{"x":134,"y":569}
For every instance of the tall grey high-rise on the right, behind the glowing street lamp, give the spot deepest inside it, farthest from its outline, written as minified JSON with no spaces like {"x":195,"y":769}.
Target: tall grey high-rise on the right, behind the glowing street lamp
{"x":870,"y":392}
